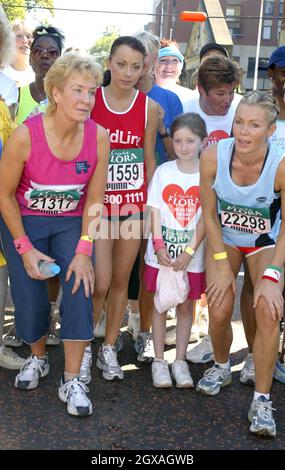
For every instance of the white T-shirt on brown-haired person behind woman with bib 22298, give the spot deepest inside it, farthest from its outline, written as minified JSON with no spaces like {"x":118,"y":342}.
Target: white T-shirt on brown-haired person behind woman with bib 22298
{"x":218,"y":127}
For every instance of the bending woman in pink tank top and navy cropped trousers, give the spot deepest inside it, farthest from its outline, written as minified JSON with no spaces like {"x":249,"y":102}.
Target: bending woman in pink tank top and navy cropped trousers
{"x":53,"y":175}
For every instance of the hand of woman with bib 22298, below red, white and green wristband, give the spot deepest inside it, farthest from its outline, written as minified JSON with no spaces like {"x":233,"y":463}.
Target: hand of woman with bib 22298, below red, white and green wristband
{"x":272,"y":295}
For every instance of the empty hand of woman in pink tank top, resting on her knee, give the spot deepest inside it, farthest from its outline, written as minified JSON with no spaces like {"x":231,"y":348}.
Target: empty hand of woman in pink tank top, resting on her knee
{"x":82,"y":267}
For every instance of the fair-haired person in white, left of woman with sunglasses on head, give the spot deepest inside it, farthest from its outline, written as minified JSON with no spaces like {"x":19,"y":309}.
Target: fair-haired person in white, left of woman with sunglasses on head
{"x":20,"y":70}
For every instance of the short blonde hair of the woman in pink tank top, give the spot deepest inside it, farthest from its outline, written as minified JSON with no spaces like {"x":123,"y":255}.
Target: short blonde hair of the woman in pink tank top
{"x":63,"y":67}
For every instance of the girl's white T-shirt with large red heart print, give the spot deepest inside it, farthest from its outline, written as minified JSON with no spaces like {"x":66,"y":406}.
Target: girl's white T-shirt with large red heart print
{"x":177,"y":196}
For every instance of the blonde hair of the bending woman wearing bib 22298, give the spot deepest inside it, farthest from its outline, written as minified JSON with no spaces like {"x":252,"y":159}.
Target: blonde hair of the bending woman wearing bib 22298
{"x":265,"y":101}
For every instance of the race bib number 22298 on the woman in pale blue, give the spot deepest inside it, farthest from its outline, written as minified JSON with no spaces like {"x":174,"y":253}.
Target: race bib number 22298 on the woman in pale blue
{"x":245,"y":219}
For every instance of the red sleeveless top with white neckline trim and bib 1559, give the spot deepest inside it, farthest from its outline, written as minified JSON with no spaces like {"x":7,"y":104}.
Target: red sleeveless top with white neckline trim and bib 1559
{"x":126,"y":190}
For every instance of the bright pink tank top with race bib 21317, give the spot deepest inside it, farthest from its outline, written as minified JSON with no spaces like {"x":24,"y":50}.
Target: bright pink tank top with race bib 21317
{"x":53,"y":187}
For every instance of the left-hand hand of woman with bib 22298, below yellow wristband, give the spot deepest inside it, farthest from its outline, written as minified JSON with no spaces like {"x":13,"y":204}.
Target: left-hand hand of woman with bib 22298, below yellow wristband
{"x":224,"y":279}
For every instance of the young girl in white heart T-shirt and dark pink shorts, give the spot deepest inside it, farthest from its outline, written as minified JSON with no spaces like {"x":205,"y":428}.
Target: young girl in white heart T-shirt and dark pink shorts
{"x":177,"y":231}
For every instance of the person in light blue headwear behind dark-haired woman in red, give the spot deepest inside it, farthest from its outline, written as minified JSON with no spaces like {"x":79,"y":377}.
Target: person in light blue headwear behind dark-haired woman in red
{"x":168,"y":70}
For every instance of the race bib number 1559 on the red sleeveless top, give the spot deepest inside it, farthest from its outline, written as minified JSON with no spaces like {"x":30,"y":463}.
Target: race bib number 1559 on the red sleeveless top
{"x":125,"y":170}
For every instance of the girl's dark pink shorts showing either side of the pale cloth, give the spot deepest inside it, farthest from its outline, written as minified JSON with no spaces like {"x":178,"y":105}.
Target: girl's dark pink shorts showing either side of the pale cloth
{"x":197,"y":282}
